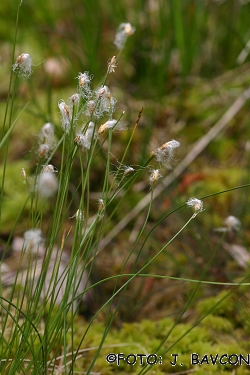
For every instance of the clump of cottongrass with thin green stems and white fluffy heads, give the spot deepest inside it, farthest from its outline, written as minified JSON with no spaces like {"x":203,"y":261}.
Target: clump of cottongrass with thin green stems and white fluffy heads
{"x":39,"y":305}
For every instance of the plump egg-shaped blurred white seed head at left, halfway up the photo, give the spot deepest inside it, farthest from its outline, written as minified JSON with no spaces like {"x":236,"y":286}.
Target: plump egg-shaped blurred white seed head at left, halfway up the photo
{"x":47,"y":184}
